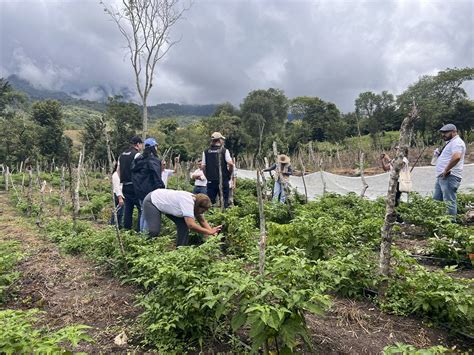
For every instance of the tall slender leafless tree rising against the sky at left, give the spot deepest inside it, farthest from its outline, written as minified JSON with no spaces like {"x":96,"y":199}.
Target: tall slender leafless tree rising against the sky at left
{"x":146,"y":27}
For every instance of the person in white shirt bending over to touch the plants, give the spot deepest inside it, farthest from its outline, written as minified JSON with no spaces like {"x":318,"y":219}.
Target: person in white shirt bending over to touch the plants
{"x":182,"y":208}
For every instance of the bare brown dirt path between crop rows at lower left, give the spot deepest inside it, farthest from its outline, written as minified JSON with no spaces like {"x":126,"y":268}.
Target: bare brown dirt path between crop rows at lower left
{"x":69,"y":289}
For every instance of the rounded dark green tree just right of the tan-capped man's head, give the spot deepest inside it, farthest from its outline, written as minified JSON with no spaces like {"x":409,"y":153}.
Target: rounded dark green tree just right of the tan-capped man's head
{"x":264,"y":111}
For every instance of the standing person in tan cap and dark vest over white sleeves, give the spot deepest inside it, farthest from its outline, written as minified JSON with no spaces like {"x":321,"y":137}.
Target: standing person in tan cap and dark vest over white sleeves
{"x":210,"y":166}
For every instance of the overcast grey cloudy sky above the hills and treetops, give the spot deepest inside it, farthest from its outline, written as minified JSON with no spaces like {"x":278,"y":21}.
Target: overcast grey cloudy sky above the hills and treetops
{"x":328,"y":48}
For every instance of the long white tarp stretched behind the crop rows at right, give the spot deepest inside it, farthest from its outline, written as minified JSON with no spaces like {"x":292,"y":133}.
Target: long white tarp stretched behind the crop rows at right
{"x":423,"y":178}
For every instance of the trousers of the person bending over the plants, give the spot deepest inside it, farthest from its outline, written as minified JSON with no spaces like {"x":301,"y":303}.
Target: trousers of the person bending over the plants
{"x":152,"y":217}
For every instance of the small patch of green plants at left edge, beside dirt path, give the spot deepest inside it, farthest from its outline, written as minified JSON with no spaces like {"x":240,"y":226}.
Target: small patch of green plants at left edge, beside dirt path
{"x":10,"y":255}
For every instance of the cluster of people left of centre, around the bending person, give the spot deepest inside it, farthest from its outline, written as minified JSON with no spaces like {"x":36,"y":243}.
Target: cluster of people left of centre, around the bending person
{"x":140,"y":180}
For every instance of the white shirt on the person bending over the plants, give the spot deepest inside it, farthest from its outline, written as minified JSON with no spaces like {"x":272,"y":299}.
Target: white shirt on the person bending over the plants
{"x":175,"y":203}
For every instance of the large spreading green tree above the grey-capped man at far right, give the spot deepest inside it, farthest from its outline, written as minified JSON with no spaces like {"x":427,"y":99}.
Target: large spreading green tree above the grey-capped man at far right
{"x":436,"y":97}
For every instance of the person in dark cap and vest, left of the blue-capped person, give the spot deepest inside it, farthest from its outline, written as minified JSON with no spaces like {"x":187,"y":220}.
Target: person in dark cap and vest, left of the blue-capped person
{"x":125,"y":174}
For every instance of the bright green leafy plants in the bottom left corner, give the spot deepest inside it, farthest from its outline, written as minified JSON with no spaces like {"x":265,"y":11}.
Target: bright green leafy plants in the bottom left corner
{"x":19,"y":335}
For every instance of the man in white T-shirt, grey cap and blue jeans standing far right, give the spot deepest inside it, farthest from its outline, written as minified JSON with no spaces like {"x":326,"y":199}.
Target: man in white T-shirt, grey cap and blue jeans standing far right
{"x":449,"y":167}
